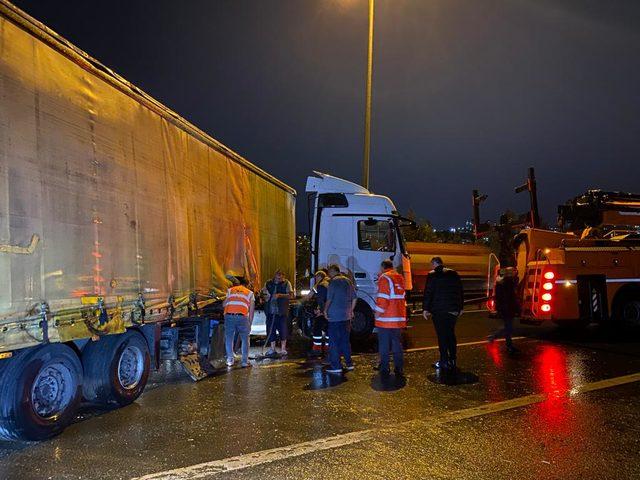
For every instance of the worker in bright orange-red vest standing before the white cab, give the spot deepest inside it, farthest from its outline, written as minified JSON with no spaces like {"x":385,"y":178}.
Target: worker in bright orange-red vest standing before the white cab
{"x":391,"y":317}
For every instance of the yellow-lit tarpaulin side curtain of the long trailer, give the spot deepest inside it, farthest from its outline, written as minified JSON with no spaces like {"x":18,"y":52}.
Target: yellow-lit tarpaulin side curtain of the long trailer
{"x":106,"y":193}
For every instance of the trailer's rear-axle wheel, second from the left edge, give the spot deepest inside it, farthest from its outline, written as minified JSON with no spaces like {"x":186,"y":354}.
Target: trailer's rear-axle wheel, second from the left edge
{"x":116,"y":368}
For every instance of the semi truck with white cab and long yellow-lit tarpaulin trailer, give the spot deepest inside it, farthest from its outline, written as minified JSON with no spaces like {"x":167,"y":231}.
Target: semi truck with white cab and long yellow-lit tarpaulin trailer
{"x":119,"y":223}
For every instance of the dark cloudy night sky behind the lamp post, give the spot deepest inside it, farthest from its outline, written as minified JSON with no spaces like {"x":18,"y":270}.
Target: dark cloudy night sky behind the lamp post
{"x":467,"y":93}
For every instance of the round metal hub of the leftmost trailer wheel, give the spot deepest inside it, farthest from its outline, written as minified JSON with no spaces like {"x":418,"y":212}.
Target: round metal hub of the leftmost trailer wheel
{"x":52,"y":390}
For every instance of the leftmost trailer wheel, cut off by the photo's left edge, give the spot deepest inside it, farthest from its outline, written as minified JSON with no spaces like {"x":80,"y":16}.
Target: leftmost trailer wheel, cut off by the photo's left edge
{"x":40,"y":390}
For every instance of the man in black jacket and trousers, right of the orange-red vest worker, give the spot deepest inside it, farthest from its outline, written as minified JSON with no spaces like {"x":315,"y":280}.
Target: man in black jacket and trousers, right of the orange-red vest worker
{"x":444,"y":300}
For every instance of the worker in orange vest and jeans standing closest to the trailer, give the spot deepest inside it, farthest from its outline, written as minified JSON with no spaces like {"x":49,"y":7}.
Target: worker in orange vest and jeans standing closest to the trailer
{"x":238,"y":316}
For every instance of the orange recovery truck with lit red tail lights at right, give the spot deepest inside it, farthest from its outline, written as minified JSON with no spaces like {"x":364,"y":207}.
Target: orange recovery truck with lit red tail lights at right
{"x":585,"y":271}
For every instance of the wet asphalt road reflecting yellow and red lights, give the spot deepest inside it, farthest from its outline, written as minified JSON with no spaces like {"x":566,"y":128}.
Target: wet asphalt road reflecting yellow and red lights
{"x":537,"y":415}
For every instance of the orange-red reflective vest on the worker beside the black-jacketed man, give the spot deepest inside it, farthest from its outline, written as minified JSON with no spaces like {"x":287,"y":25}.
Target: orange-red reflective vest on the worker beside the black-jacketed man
{"x":391,"y":308}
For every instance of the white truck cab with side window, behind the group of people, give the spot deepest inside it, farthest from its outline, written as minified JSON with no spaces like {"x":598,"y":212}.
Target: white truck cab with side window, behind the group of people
{"x":356,"y":229}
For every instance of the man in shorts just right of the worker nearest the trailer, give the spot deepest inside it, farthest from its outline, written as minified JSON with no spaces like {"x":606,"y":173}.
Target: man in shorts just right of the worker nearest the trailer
{"x":278,"y":292}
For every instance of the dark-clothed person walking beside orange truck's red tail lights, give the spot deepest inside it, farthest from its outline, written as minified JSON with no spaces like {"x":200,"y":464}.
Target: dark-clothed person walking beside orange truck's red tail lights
{"x":507,"y":306}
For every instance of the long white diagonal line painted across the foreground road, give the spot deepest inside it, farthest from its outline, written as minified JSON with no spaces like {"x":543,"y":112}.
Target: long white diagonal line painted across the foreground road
{"x":249,"y":460}
